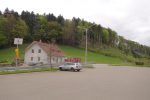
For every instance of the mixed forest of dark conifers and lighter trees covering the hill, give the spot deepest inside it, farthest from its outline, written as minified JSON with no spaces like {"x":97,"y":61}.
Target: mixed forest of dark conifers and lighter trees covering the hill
{"x":47,"y":27}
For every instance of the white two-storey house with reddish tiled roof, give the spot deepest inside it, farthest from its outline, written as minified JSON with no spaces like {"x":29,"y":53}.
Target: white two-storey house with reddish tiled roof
{"x":38,"y":52}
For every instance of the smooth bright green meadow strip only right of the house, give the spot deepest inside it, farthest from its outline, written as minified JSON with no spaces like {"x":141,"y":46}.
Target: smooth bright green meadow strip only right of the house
{"x":92,"y":57}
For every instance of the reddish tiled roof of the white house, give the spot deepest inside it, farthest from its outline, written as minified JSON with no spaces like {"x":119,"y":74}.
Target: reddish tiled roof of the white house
{"x":48,"y":48}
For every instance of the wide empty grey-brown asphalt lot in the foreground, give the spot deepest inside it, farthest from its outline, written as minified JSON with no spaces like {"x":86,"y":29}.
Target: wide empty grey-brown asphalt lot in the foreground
{"x":101,"y":83}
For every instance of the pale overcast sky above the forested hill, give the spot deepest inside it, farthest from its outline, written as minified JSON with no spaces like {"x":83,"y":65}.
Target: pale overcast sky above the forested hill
{"x":129,"y":18}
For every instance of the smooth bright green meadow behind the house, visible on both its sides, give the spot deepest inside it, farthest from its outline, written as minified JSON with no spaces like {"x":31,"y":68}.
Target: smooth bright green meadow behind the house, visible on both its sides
{"x":8,"y":55}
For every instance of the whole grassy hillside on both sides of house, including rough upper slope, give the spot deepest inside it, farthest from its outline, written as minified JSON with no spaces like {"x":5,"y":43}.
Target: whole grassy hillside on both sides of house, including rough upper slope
{"x":107,"y":56}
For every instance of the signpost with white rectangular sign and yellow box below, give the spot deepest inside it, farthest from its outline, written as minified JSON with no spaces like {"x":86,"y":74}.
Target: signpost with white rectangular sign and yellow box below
{"x":17,"y":41}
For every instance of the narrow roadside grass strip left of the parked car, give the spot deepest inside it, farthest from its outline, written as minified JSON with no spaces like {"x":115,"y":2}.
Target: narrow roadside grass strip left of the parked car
{"x":29,"y":71}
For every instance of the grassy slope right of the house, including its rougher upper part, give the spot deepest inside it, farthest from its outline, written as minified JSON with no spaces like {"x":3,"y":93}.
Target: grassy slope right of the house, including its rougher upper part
{"x":111,"y":56}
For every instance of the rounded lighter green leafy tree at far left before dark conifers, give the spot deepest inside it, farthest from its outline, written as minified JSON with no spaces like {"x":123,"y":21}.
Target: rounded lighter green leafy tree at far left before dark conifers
{"x":11,"y":28}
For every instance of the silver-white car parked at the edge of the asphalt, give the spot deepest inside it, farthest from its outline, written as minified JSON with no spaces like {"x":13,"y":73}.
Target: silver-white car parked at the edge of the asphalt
{"x":70,"y":66}
